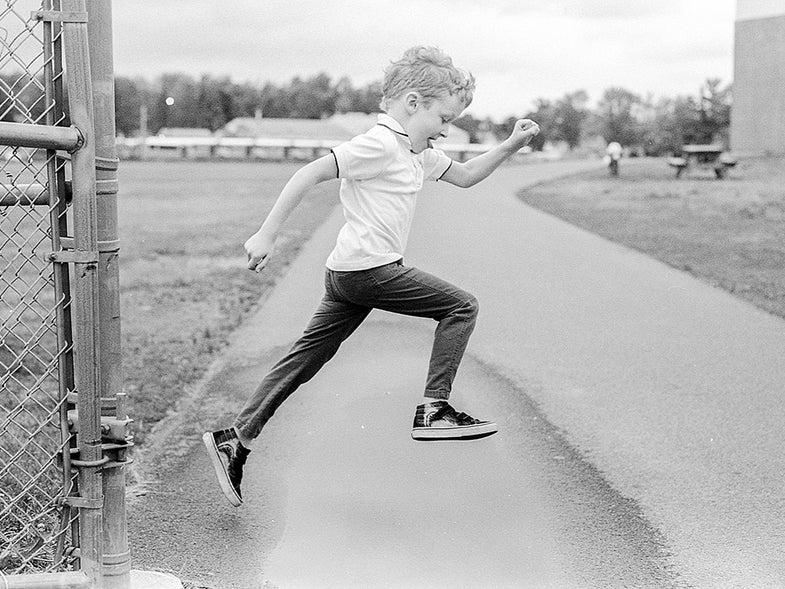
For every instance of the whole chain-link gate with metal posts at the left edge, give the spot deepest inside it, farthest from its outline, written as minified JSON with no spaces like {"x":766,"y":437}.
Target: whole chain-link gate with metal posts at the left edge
{"x":62,"y":502}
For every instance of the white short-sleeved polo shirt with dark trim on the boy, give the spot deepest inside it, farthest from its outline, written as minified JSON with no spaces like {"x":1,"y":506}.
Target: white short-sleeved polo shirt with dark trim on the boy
{"x":381,"y":177}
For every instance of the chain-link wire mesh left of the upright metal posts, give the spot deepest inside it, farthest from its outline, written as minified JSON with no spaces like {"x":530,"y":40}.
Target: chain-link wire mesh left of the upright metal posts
{"x":37,"y":528}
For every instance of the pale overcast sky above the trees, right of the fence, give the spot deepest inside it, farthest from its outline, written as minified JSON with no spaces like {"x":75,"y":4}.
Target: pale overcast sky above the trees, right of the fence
{"x":519,"y":50}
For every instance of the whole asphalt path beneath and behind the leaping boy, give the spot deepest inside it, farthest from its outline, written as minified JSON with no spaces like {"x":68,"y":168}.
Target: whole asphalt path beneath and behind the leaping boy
{"x":639,"y":415}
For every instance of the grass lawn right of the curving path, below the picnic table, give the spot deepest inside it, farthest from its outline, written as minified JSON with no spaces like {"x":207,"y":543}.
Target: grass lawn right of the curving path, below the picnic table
{"x":729,"y":233}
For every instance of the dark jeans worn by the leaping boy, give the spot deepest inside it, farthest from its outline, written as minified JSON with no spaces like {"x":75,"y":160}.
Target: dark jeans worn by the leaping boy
{"x":349,"y":298}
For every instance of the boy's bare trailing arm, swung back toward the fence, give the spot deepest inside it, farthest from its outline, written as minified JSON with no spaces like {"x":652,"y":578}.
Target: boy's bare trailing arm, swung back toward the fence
{"x":260,"y":245}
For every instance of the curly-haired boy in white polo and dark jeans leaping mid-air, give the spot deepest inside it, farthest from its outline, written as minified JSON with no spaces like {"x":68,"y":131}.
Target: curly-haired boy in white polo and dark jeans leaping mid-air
{"x":381,"y":173}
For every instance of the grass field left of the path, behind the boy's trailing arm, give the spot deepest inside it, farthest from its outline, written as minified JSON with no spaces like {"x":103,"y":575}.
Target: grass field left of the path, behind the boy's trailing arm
{"x":183,"y":282}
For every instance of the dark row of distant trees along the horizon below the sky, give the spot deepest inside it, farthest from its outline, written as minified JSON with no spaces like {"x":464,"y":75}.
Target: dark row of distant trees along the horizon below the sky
{"x":641,"y":123}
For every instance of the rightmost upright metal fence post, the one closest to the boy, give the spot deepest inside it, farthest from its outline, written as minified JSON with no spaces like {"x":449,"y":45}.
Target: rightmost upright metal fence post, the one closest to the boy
{"x":117,"y":556}
